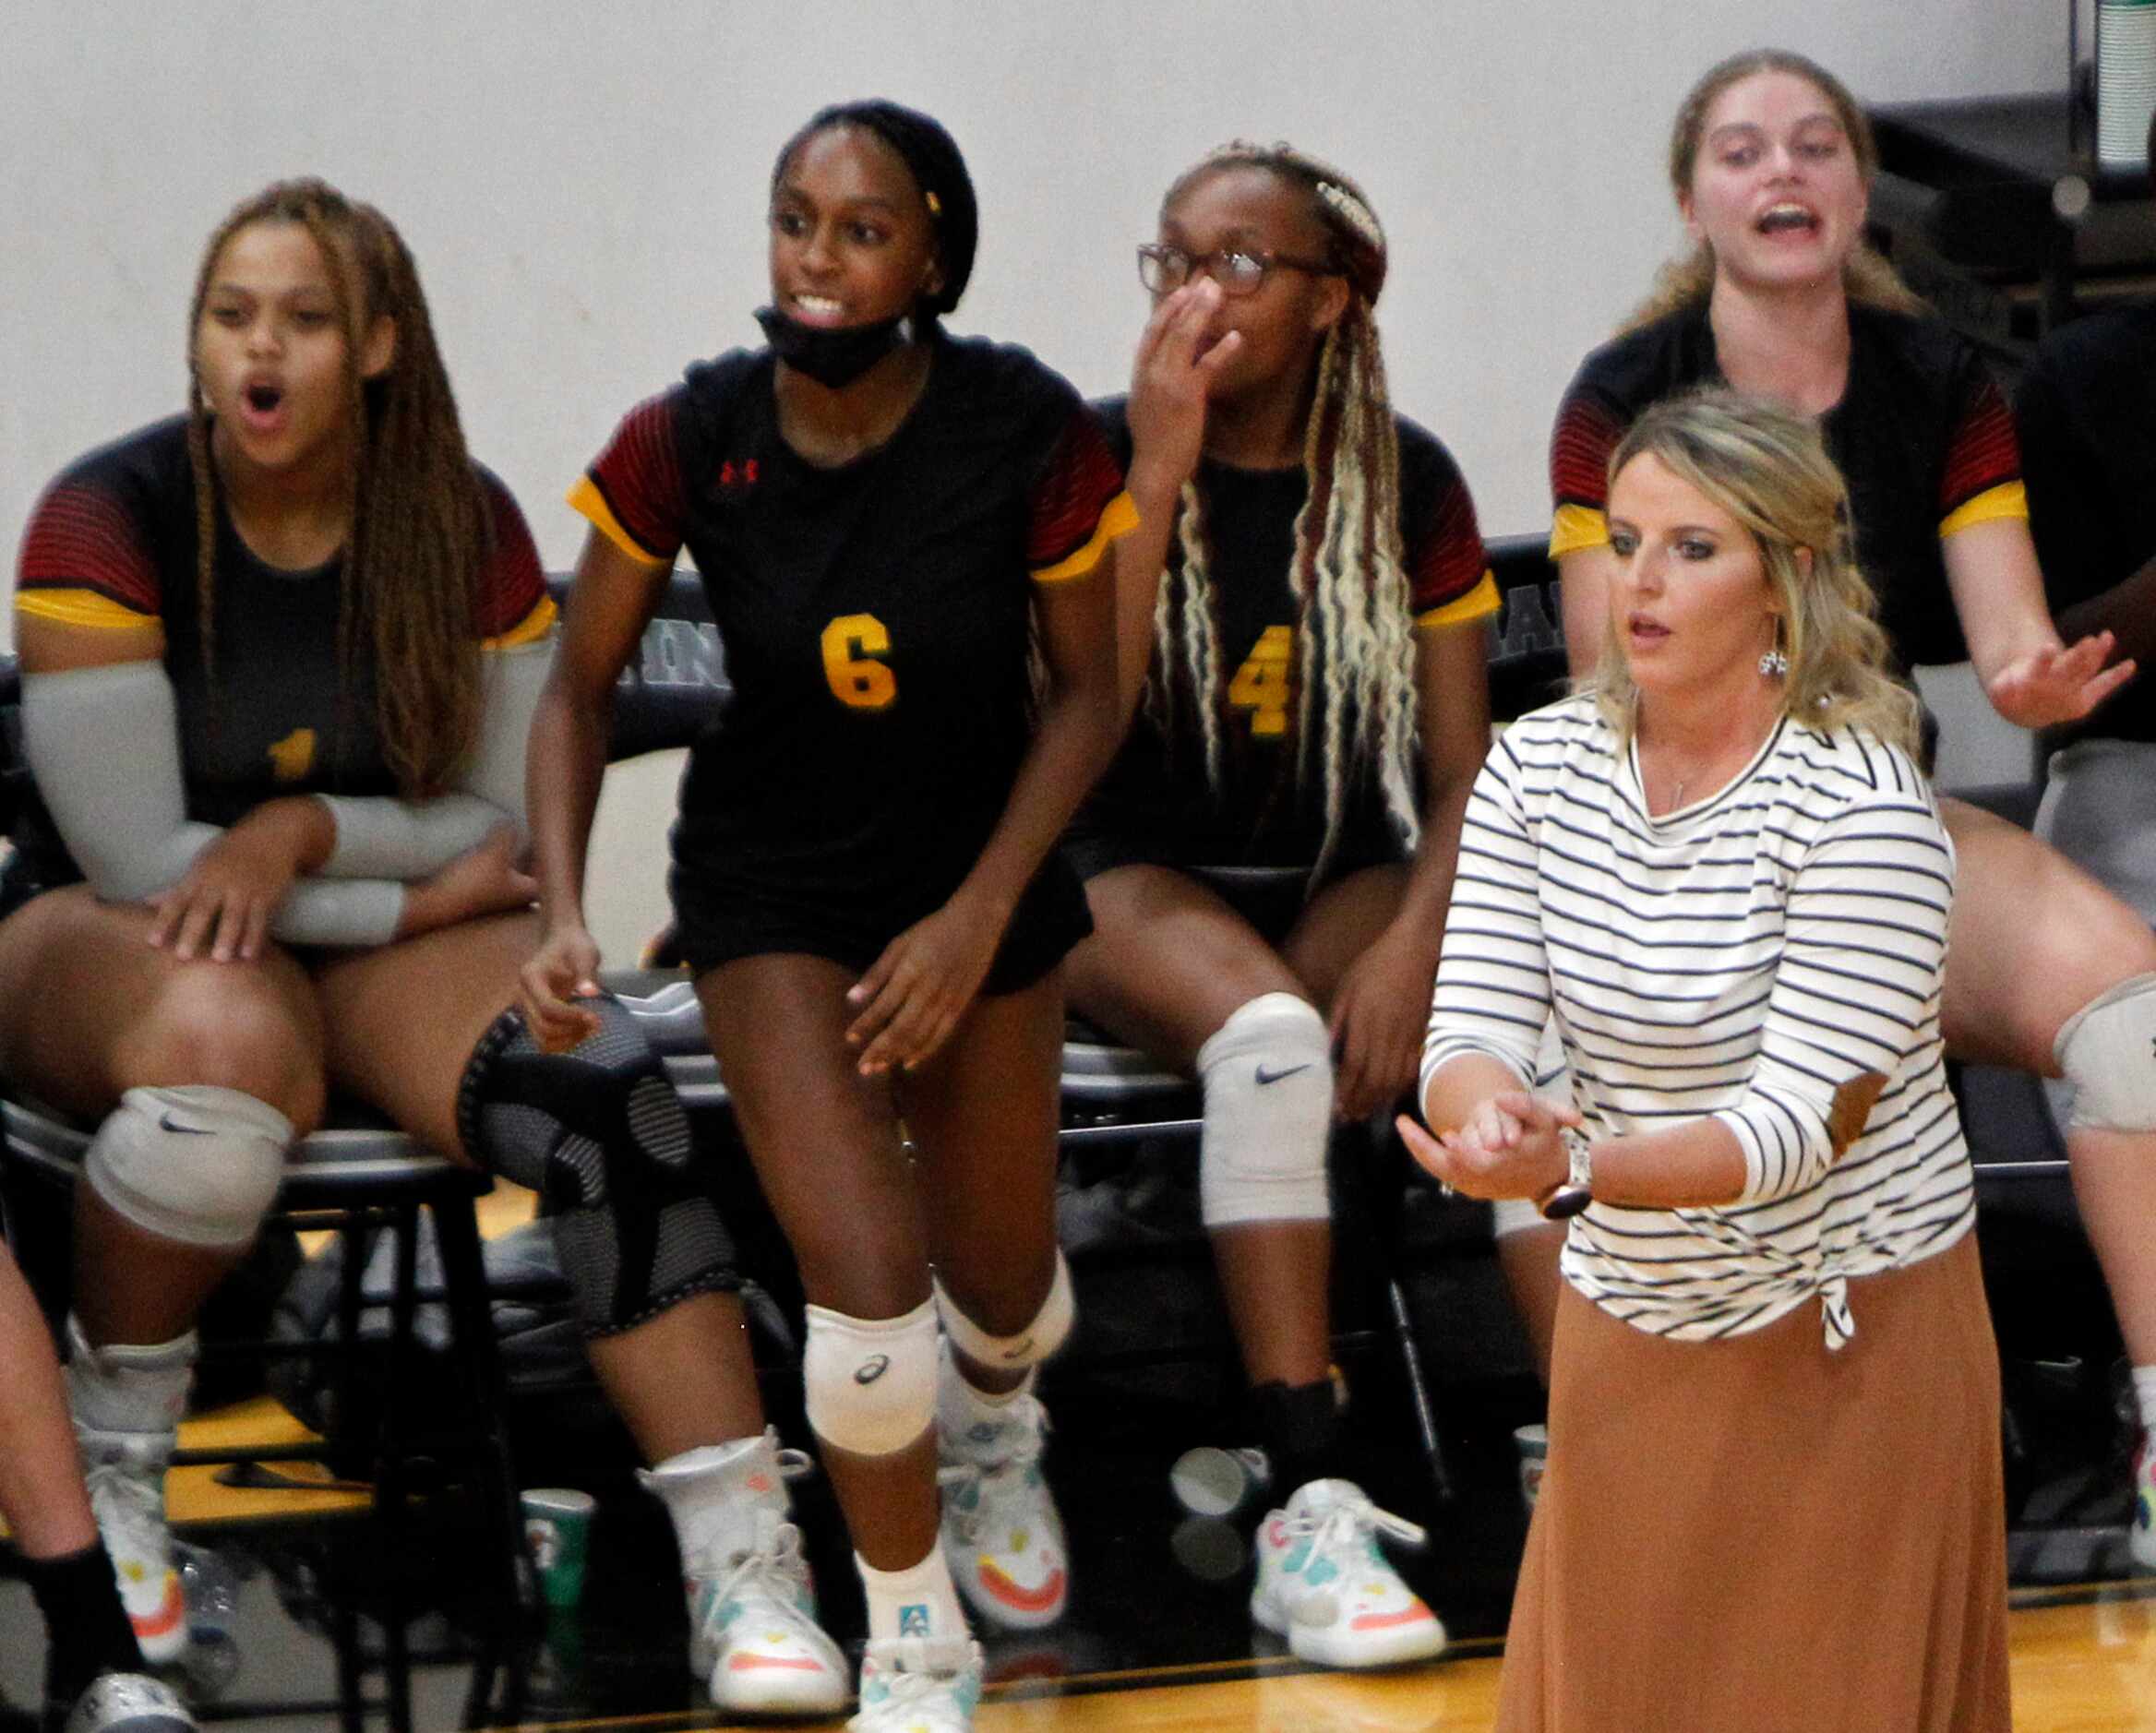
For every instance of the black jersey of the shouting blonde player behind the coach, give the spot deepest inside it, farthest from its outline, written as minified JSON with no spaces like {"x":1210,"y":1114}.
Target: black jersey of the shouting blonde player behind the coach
{"x":1922,"y":436}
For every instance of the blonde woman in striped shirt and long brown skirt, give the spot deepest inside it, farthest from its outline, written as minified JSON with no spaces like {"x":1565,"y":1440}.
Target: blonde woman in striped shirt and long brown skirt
{"x":1726,"y":876}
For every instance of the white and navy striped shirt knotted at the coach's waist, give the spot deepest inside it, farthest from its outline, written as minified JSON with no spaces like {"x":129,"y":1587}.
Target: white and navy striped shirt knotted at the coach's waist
{"x":1737,"y":958}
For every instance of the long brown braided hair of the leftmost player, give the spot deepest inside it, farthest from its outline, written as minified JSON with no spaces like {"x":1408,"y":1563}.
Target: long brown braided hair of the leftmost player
{"x":419,"y":529}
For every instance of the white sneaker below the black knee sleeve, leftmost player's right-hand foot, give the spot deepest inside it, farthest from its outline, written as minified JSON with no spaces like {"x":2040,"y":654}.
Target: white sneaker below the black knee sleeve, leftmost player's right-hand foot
{"x":754,"y":1631}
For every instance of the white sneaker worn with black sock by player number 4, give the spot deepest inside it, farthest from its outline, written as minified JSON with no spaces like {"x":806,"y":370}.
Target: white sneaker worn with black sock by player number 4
{"x":1325,"y":1585}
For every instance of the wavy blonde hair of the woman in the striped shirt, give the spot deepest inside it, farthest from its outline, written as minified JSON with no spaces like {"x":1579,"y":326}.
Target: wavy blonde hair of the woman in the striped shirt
{"x":1769,"y":469}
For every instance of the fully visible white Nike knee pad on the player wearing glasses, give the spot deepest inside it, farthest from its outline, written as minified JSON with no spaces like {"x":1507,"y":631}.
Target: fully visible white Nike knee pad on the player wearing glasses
{"x":1269,"y":1113}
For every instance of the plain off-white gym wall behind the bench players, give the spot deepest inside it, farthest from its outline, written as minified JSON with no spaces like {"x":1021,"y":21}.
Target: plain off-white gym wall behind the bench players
{"x":585,"y":186}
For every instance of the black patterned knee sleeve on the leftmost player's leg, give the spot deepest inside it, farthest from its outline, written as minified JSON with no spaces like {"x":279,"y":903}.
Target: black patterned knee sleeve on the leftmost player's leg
{"x":603,"y":1137}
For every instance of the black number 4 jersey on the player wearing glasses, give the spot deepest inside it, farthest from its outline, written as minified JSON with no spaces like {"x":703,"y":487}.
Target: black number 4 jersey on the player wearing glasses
{"x":1264,"y":814}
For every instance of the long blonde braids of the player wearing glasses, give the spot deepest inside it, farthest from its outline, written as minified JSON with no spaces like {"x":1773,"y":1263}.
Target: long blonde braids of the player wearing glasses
{"x":1349,"y":574}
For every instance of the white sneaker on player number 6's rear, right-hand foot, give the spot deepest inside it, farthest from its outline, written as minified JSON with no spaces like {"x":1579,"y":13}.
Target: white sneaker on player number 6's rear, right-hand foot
{"x":1001,"y":1534}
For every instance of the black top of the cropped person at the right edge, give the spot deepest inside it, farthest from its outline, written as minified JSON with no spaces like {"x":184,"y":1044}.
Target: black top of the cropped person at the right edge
{"x":2088,"y":430}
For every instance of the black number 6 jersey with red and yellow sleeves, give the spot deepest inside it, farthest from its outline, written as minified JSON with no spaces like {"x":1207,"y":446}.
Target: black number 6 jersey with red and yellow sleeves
{"x":876,"y":615}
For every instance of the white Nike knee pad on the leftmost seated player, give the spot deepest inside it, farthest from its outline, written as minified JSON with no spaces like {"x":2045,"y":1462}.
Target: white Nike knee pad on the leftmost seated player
{"x":197,"y":1165}
